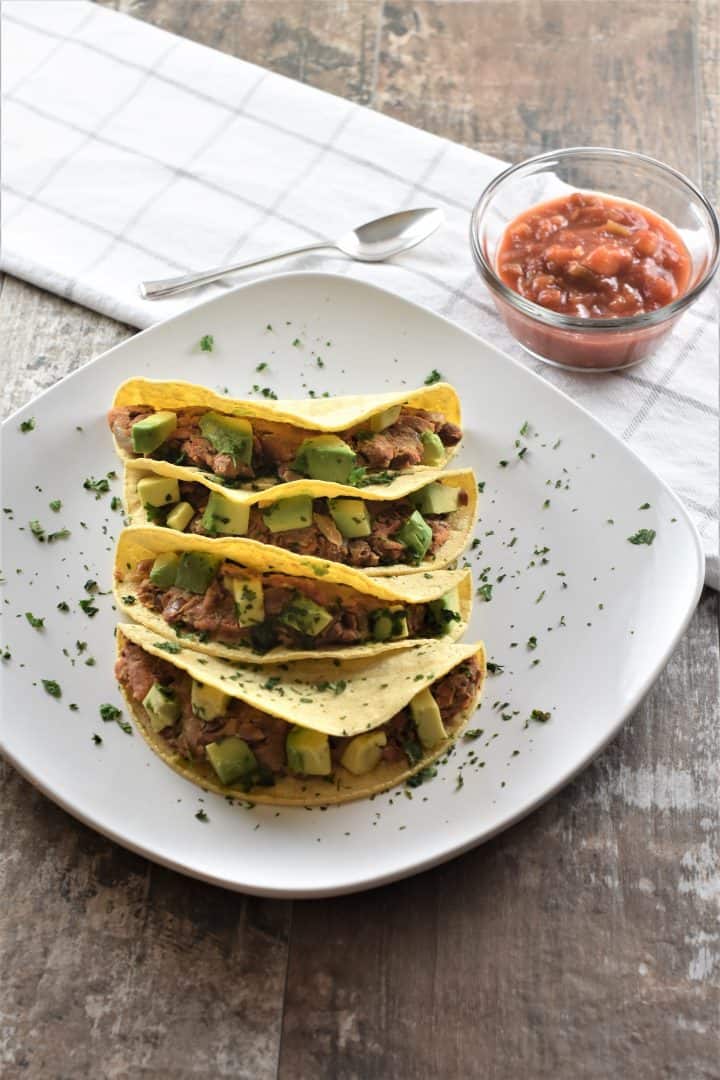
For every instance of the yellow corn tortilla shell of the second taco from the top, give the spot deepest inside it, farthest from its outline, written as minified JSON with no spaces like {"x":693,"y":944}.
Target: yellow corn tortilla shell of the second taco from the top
{"x":460,"y":521}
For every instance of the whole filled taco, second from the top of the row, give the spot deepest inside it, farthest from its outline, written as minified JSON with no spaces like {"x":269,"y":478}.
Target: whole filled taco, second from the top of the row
{"x":420,"y":522}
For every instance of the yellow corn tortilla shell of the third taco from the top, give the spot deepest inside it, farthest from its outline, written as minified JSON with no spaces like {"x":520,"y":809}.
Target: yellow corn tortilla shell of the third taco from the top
{"x":138,"y":544}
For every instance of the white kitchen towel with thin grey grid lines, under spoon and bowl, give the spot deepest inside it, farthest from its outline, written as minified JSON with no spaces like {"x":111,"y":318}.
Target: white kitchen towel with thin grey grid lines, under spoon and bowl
{"x":131,"y":154}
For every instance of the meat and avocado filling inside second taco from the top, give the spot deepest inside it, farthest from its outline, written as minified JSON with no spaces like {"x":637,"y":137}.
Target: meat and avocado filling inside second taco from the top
{"x":361,"y":533}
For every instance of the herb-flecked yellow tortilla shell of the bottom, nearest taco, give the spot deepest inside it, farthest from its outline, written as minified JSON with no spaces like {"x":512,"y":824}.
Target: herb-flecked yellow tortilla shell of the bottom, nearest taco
{"x":375,"y":690}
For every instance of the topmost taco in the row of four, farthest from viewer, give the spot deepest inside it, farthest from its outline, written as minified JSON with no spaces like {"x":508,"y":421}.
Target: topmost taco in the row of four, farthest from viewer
{"x":352,"y":441}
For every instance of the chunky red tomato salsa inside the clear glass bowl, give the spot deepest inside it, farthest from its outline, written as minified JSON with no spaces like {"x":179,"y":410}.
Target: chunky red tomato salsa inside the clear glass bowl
{"x":594,"y":256}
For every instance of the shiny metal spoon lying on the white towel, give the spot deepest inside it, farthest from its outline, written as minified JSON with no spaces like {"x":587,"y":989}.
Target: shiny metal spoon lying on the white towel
{"x":372,"y":242}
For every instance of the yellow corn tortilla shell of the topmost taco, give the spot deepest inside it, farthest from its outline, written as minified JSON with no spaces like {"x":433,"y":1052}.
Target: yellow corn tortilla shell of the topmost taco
{"x":319,"y":414}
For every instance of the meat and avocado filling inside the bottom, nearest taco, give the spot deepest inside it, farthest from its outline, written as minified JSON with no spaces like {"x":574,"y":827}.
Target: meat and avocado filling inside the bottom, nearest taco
{"x":248,"y":748}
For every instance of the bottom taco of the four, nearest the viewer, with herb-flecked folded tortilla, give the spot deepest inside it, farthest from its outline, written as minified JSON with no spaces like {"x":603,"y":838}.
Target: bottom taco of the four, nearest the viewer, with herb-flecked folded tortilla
{"x":304,"y":734}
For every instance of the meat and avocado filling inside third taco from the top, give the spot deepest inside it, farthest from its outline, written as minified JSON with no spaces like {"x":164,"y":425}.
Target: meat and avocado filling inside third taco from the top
{"x":220,"y":601}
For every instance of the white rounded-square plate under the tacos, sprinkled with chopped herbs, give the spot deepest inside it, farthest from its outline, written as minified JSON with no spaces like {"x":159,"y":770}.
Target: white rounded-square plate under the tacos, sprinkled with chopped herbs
{"x":624,"y":606}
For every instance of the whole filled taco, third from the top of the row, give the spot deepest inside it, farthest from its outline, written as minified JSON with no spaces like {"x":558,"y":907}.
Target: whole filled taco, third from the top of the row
{"x":244,"y":601}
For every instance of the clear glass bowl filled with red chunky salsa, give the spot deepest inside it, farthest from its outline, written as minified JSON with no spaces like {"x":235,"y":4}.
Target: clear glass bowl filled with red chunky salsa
{"x":593,"y":254}
